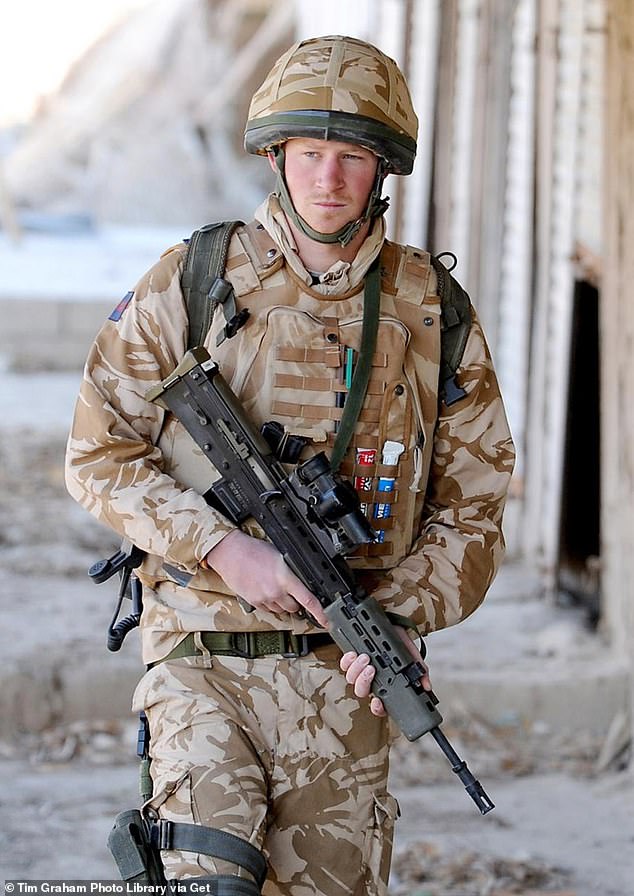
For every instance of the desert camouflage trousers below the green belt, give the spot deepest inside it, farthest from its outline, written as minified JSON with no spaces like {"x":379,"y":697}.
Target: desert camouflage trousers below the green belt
{"x":280,"y":753}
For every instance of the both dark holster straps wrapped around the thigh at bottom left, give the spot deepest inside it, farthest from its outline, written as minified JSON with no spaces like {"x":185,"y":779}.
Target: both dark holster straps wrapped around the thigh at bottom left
{"x":219,"y":845}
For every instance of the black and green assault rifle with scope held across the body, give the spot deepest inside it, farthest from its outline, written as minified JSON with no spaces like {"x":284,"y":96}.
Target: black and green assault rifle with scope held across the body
{"x":313,"y":518}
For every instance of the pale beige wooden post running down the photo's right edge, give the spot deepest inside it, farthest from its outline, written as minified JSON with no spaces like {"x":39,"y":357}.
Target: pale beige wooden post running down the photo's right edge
{"x":617,"y":332}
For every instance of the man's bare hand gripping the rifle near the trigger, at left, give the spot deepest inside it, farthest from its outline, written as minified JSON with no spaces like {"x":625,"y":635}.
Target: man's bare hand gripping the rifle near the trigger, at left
{"x":255,"y":571}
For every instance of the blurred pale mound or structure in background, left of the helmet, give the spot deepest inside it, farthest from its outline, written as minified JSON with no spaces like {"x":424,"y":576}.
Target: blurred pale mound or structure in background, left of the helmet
{"x":146,"y":129}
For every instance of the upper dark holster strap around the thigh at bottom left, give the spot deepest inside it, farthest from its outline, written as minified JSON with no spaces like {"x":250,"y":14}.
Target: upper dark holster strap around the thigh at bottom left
{"x":211,"y":842}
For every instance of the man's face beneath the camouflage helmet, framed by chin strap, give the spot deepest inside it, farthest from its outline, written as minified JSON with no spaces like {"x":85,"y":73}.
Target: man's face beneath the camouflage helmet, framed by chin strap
{"x":329,"y":181}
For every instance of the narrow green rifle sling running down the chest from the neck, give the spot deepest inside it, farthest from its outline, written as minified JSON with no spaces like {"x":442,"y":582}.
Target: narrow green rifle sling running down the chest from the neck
{"x":359,"y":385}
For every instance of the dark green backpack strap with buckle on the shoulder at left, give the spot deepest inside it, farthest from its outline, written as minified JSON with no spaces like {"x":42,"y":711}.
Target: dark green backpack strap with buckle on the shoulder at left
{"x":203,"y":285}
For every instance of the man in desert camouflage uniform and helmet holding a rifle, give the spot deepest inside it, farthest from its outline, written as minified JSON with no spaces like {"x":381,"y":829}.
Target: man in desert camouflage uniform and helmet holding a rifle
{"x":264,"y":738}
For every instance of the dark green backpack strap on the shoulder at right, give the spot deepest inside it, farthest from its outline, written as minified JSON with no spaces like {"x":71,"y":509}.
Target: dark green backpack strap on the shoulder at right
{"x":456,"y":320}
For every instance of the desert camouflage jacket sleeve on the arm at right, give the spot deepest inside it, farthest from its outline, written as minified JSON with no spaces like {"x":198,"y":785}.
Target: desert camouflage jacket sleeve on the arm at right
{"x":460,"y":543}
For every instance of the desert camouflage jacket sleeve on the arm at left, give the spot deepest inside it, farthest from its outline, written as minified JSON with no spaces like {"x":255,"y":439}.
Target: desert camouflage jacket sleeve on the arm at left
{"x":113,"y":467}
